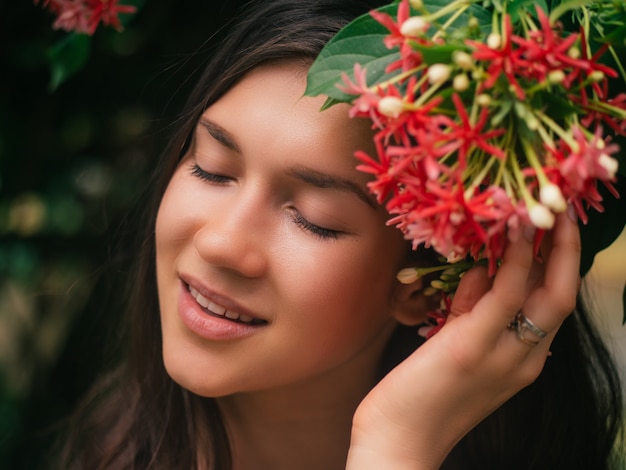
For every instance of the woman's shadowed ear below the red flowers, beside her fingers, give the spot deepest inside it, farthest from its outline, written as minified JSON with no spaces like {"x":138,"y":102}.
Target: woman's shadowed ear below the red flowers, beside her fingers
{"x":410,"y":304}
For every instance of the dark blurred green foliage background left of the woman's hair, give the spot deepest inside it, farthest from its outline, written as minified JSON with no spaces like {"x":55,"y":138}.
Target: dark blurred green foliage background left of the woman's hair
{"x":72,"y":165}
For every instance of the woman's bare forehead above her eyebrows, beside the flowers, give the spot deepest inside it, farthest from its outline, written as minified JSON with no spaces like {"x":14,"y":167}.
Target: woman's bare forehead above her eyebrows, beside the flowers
{"x":266,"y":112}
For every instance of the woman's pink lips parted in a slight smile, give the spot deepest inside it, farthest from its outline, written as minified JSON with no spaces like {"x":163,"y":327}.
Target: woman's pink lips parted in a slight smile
{"x":215,"y":326}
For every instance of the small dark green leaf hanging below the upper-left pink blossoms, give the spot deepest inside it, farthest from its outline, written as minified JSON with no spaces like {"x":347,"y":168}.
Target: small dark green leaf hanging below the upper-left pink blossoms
{"x":67,"y":57}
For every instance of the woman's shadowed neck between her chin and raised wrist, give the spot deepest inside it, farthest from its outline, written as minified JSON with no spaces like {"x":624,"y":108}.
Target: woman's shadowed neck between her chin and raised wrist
{"x":304,"y":426}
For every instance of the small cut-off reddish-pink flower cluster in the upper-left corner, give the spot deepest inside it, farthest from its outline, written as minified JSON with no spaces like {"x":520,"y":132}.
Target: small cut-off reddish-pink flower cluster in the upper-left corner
{"x":84,"y":16}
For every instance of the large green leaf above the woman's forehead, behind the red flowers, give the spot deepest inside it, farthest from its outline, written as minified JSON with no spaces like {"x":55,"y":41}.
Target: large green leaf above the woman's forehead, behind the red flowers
{"x":362,"y":41}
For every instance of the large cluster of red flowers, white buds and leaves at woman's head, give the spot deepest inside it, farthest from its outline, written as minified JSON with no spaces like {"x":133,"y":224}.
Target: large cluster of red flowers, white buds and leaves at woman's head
{"x":489,"y":118}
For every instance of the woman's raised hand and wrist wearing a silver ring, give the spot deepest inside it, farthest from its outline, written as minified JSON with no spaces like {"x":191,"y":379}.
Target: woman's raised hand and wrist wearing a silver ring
{"x":423,"y":407}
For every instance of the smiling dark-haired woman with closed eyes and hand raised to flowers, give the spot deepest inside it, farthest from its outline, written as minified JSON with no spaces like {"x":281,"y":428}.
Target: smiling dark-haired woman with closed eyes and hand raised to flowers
{"x":265,"y":310}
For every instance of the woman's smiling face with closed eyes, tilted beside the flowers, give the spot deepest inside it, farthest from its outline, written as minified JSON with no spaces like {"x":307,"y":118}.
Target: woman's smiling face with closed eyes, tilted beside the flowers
{"x":274,"y":266}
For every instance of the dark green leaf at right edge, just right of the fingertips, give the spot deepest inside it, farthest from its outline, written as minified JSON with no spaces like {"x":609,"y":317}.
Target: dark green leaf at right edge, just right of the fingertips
{"x":603,"y":228}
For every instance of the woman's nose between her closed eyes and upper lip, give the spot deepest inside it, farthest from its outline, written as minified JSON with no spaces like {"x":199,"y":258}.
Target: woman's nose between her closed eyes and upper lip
{"x":234,"y":235}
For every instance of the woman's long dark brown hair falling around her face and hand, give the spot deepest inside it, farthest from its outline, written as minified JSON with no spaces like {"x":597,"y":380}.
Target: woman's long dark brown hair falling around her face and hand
{"x":137,"y":417}
